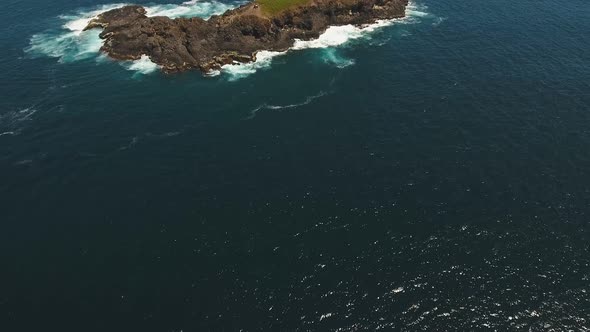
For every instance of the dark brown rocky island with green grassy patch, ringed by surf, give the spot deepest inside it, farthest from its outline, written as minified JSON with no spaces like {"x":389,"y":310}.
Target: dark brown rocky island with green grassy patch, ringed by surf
{"x":235,"y":36}
